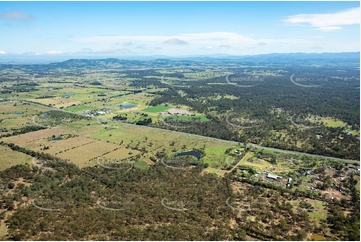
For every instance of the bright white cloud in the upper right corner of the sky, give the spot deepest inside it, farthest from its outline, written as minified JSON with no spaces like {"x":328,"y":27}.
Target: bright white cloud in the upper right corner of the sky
{"x":328,"y":21}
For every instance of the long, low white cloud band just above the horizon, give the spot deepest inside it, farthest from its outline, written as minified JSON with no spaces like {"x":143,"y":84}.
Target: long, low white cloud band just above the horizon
{"x":228,"y":42}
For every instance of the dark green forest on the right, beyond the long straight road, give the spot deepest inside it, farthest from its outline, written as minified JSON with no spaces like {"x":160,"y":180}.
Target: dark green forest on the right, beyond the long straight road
{"x":259,"y":103}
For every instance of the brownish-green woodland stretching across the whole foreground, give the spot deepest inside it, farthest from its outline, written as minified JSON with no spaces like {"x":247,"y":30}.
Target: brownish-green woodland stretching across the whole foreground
{"x":160,"y":203}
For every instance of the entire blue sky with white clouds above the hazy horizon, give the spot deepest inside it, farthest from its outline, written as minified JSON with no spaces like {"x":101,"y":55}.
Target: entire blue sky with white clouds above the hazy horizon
{"x":177,"y":28}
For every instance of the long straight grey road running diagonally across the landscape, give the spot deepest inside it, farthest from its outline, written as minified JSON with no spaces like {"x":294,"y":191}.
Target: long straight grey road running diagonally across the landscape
{"x":205,"y":137}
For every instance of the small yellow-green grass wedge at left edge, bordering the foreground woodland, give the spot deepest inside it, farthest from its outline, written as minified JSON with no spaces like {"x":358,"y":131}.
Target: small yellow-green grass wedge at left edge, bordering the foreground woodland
{"x":9,"y":158}
